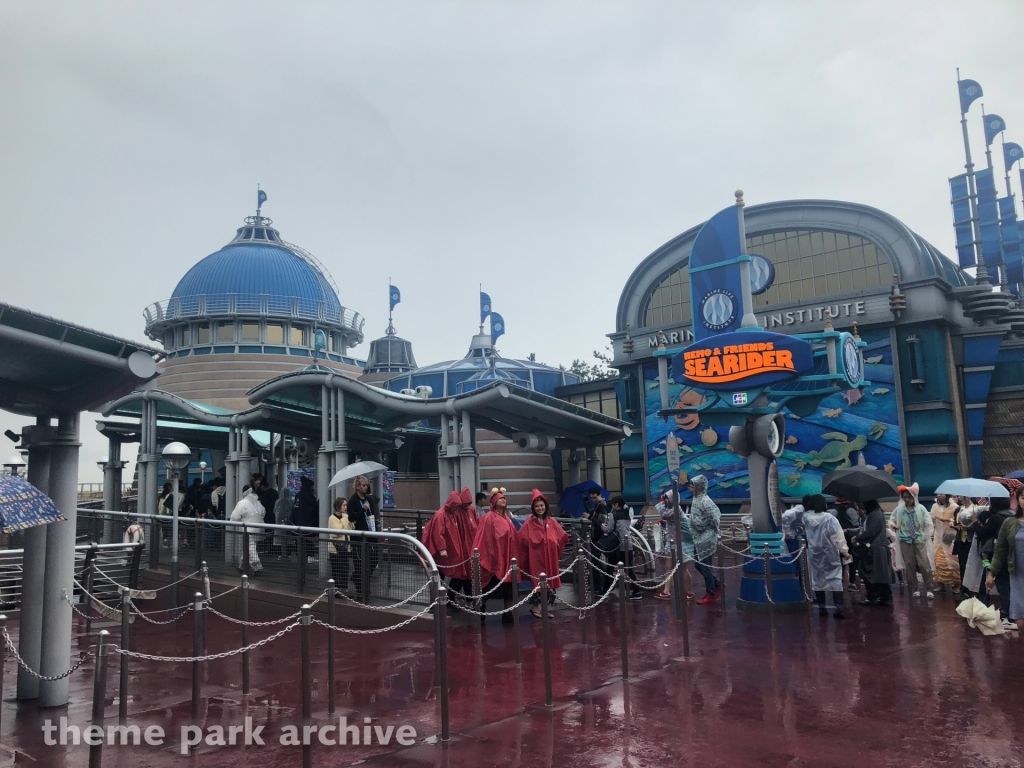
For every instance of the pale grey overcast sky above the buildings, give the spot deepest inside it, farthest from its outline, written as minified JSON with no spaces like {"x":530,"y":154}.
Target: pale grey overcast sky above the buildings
{"x":540,"y":149}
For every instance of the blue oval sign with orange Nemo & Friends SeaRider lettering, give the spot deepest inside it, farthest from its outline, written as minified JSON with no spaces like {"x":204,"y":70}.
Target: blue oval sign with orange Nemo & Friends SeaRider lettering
{"x":743,"y":360}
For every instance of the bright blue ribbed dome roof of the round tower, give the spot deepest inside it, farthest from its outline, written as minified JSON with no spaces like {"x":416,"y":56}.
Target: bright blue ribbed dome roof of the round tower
{"x":252,"y":270}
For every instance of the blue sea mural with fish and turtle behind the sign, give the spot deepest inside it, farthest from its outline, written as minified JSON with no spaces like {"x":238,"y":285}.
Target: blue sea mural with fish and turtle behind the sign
{"x":848,"y":429}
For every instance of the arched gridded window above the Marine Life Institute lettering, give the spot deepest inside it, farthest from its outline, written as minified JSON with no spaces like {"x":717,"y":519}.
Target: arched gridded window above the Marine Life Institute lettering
{"x":809,"y":265}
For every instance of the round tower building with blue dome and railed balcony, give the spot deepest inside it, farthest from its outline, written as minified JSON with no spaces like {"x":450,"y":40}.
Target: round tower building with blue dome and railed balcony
{"x":250,"y":312}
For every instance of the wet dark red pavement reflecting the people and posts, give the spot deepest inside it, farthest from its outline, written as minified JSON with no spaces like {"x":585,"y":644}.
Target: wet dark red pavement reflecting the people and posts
{"x":907,"y":687}
